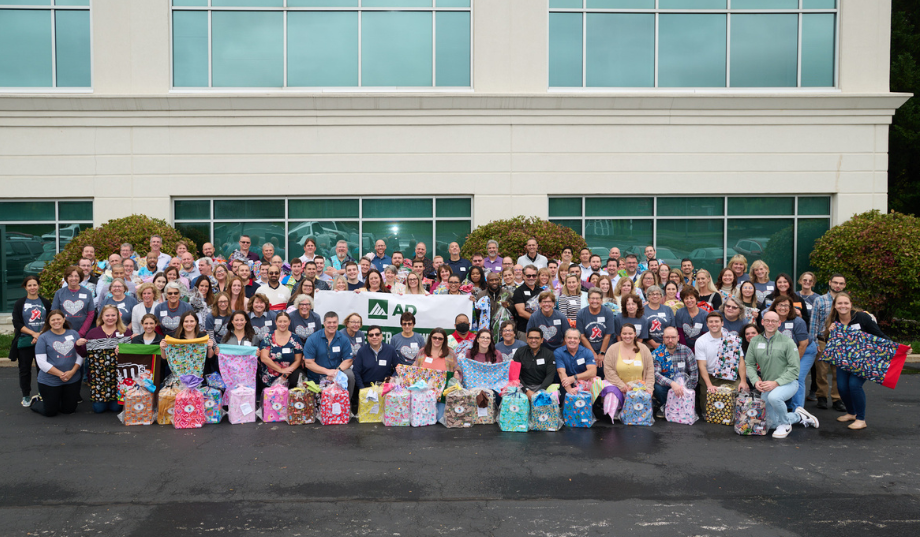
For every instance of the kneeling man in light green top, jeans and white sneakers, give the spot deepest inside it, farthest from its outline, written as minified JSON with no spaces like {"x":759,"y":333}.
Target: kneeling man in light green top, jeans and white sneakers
{"x":777,"y":381}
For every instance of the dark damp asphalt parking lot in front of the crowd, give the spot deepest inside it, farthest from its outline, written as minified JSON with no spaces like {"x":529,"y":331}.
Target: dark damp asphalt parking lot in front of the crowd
{"x":87,"y":474}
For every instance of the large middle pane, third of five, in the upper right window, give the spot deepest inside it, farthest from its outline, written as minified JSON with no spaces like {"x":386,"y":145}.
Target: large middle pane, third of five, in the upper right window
{"x":691,"y":51}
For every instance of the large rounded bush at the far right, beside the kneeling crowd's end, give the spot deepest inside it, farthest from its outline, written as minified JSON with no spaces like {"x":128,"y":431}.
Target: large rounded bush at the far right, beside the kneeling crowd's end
{"x":879,"y":254}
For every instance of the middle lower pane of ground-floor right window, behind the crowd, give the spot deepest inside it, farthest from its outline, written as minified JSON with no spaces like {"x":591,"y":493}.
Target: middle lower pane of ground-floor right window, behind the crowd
{"x":700,"y":240}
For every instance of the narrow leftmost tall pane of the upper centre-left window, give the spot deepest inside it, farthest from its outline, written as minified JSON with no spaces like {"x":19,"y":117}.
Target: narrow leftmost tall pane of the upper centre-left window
{"x":190,"y":49}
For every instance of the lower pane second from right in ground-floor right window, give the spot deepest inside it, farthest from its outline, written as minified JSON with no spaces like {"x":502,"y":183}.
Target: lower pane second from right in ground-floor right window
{"x":769,"y":240}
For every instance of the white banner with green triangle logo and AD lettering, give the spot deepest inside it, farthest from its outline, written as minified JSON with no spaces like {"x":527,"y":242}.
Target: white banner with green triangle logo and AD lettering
{"x":385,"y":309}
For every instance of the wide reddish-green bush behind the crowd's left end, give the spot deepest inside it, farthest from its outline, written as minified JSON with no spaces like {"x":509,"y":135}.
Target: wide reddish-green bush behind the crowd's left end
{"x":107,"y":239}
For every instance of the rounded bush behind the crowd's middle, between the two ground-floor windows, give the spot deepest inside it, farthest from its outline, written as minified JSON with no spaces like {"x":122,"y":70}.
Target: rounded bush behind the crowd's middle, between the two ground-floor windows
{"x":513,"y":234}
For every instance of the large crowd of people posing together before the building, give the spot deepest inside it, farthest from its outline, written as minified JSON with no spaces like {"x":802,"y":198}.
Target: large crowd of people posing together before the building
{"x":565,"y":320}
